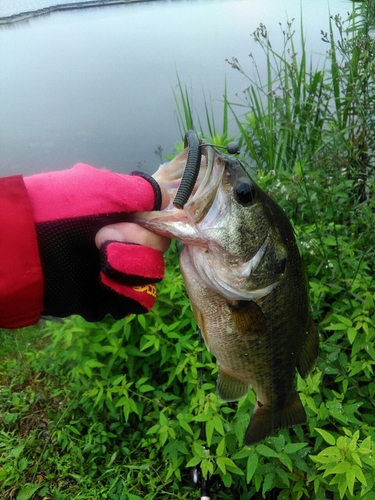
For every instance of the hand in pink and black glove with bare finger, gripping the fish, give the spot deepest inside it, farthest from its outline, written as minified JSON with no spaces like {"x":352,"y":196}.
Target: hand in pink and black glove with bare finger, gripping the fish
{"x":80,"y":210}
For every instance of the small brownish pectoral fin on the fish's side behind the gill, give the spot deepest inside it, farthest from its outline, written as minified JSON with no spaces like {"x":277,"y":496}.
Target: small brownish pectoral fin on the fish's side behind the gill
{"x":247,"y":317}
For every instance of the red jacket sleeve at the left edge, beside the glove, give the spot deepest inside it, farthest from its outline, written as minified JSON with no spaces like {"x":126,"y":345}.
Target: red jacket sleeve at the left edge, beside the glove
{"x":21,"y":276}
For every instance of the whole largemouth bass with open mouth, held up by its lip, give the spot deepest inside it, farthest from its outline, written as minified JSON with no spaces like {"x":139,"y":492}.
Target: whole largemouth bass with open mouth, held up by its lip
{"x":247,"y":286}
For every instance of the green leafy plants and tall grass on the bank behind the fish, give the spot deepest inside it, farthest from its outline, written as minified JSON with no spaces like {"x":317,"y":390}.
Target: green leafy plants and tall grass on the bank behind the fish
{"x":114,"y":410}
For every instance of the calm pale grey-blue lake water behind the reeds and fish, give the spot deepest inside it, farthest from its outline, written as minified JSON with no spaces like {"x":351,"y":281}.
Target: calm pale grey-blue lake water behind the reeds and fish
{"x":95,"y":85}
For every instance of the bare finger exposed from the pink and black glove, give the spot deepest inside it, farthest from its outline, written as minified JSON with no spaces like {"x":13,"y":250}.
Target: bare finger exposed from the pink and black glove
{"x":130,"y":232}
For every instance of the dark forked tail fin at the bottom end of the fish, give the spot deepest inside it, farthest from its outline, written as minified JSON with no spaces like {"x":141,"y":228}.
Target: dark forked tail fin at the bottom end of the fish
{"x":265,"y":421}
